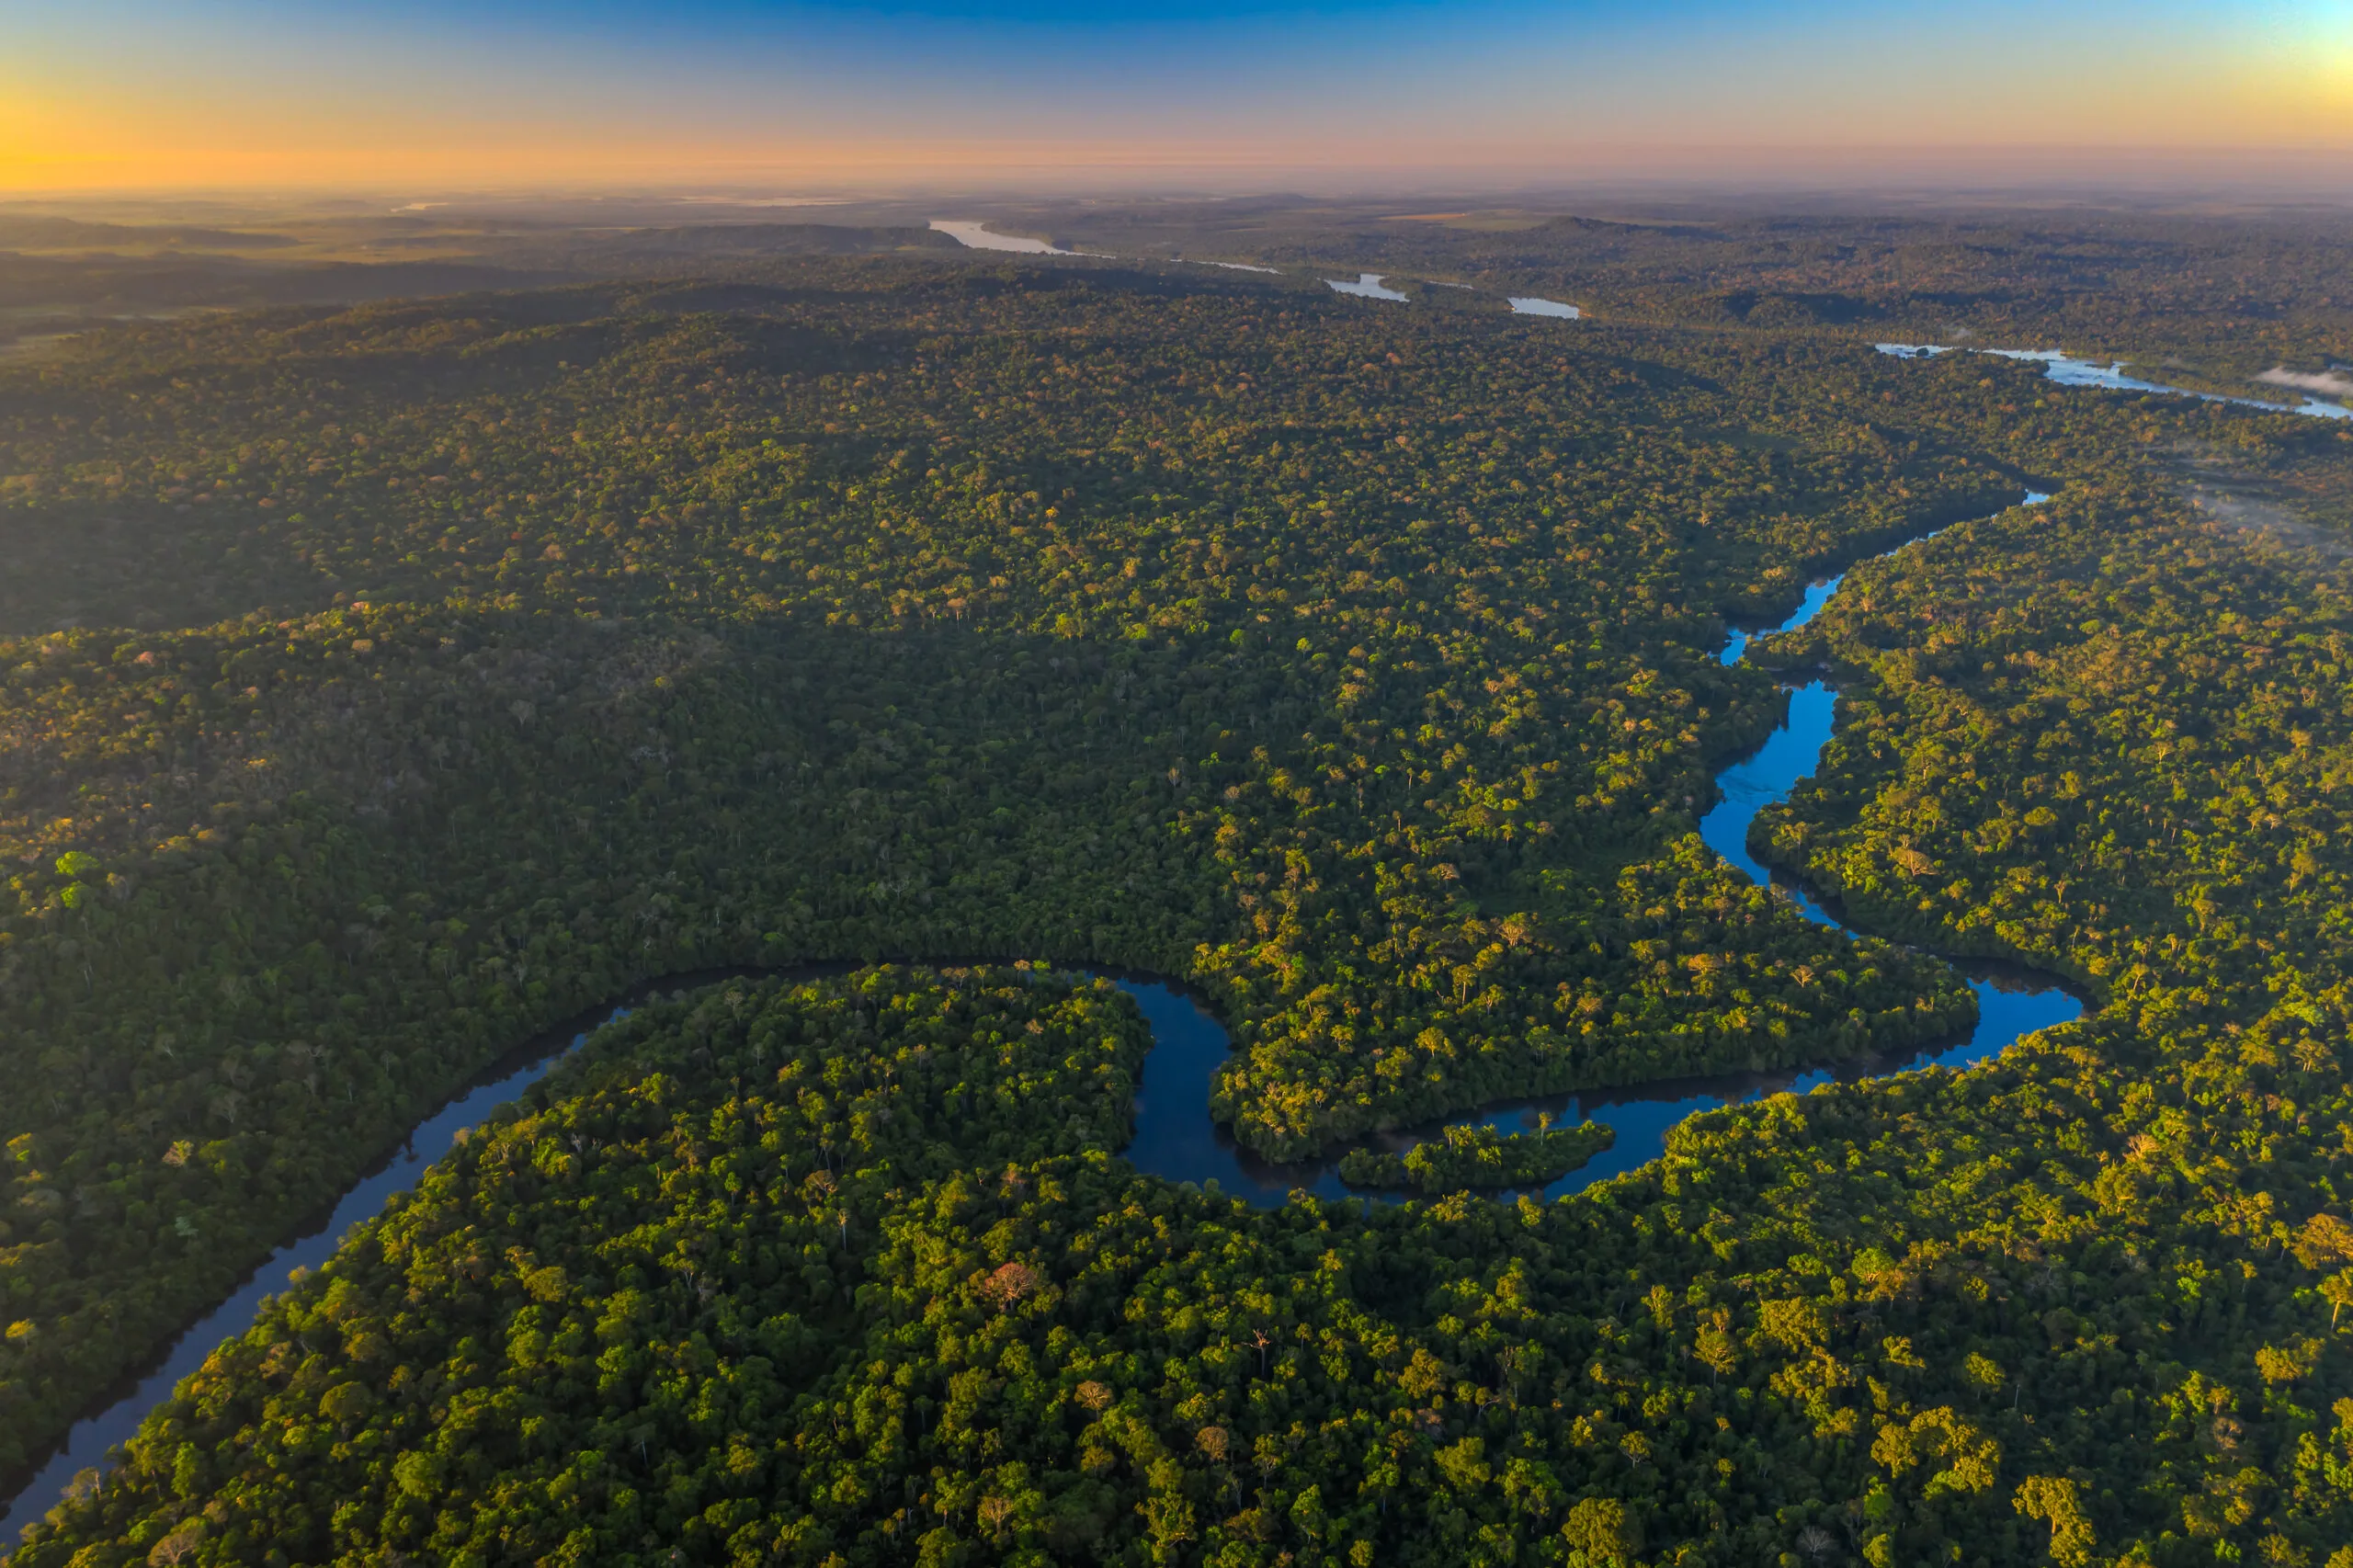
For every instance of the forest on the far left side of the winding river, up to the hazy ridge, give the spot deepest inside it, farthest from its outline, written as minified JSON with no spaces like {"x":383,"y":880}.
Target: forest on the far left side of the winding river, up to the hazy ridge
{"x":1387,"y":748}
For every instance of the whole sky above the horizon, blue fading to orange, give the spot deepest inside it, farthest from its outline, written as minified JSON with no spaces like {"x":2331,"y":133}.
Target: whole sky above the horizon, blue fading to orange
{"x":1229,"y":95}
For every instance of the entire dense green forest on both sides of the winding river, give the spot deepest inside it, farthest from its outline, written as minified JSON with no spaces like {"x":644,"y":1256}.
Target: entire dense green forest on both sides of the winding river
{"x":441,"y":670}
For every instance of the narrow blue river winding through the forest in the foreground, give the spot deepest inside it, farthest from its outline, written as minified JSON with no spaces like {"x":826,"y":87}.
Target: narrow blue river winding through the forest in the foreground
{"x":1175,"y":1136}
